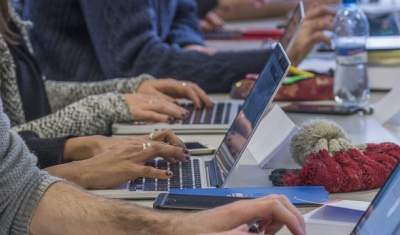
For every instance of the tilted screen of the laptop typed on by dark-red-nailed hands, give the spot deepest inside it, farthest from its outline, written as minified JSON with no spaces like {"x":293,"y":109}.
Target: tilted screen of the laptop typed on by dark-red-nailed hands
{"x":255,"y":105}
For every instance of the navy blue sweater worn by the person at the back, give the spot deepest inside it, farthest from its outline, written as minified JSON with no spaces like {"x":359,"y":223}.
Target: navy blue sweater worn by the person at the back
{"x":90,"y":40}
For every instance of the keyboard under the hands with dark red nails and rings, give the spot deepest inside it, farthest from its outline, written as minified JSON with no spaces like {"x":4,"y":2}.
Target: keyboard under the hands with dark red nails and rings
{"x":185,"y":175}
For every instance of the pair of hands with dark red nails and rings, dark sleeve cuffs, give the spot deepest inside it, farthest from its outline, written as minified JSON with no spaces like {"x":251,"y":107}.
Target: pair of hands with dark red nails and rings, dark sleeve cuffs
{"x":99,"y":162}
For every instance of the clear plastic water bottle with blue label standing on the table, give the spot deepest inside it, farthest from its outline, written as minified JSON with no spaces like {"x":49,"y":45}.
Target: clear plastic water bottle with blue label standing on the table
{"x":351,"y":30}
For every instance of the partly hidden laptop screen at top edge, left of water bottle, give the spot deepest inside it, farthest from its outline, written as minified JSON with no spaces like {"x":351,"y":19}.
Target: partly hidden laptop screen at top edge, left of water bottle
{"x":293,"y":26}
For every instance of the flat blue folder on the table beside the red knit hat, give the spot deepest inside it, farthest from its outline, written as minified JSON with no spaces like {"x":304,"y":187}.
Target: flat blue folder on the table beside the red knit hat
{"x":298,"y":195}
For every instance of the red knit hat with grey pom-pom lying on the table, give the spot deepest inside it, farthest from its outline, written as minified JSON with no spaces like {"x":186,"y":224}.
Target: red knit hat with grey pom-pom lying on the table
{"x":328,"y":158}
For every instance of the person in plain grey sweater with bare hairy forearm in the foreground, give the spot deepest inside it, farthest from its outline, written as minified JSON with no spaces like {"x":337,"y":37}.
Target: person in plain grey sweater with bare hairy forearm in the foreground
{"x":33,"y":202}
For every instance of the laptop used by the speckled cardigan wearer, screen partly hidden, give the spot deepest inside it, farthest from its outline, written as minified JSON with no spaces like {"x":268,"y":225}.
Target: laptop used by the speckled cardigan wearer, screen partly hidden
{"x":218,"y":118}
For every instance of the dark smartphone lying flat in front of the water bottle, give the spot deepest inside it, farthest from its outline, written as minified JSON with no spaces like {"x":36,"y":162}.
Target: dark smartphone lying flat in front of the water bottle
{"x":330,"y":109}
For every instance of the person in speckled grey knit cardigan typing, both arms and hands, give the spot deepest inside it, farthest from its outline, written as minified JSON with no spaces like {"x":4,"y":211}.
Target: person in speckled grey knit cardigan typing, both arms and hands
{"x":54,"y":109}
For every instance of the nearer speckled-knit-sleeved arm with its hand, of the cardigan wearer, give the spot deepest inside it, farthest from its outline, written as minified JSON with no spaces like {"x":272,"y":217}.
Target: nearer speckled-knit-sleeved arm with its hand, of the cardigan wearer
{"x":94,"y":115}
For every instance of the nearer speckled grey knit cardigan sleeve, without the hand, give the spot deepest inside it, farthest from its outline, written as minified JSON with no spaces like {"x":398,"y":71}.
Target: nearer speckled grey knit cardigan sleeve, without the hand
{"x":89,"y":116}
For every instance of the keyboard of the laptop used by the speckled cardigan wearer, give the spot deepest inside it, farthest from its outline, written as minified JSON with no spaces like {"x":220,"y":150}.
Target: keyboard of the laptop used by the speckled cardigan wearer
{"x":218,"y":114}
